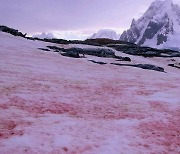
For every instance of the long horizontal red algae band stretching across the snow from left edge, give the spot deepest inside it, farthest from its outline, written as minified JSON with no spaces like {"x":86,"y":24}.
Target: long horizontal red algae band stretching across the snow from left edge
{"x":102,"y":111}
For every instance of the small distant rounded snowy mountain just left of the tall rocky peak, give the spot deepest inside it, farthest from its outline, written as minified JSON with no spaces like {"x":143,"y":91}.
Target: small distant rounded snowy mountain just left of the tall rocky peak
{"x":106,"y":33}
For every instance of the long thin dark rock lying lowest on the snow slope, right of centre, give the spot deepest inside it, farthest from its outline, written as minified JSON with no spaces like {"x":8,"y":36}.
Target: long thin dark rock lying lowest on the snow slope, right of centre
{"x":143,"y":66}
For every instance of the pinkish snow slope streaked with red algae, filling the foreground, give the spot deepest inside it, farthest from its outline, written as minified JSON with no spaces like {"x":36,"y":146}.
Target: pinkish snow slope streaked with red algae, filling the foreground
{"x":54,"y":104}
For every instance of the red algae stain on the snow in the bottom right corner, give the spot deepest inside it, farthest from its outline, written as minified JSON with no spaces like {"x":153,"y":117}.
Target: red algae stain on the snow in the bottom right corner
{"x":164,"y":135}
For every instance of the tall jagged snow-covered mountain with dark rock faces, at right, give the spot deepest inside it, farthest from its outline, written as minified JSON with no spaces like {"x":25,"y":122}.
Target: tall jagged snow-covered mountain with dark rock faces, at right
{"x":158,"y":27}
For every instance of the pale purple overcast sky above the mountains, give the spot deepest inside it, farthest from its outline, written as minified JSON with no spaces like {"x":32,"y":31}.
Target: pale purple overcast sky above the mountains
{"x":71,"y":19}
